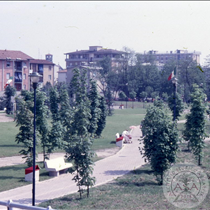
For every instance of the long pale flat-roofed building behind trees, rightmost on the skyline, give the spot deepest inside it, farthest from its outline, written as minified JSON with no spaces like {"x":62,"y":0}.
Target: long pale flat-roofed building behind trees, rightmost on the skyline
{"x":164,"y":57}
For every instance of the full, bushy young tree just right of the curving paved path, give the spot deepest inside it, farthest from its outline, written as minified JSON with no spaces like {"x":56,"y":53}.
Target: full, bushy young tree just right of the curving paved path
{"x":160,"y":140}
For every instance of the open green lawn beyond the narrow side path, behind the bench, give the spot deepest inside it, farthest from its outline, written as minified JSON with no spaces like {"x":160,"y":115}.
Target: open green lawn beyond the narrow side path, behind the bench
{"x":120,"y":121}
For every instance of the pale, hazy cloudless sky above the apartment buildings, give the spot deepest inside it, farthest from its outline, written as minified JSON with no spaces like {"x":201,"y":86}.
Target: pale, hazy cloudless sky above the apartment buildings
{"x":57,"y":27}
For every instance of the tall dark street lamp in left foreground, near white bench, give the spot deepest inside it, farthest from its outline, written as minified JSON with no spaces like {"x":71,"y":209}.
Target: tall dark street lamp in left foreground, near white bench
{"x":34,"y":79}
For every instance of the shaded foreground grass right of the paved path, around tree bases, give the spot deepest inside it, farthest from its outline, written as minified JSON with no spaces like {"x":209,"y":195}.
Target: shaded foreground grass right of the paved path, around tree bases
{"x":136,"y":190}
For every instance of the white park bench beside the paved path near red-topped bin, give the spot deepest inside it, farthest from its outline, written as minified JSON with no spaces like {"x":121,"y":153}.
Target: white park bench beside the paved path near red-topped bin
{"x":57,"y":166}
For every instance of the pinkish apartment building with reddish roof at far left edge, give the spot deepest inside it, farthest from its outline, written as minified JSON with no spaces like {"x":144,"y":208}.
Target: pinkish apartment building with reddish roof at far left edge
{"x":15,"y":68}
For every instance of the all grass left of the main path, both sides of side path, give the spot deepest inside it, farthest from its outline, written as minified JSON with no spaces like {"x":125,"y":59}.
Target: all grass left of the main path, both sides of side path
{"x":13,"y":176}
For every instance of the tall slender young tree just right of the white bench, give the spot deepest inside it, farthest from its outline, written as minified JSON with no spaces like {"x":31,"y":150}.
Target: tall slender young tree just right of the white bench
{"x":78,"y":140}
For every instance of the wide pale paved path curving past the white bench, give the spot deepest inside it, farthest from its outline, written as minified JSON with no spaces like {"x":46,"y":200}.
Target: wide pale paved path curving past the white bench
{"x":105,"y":170}
